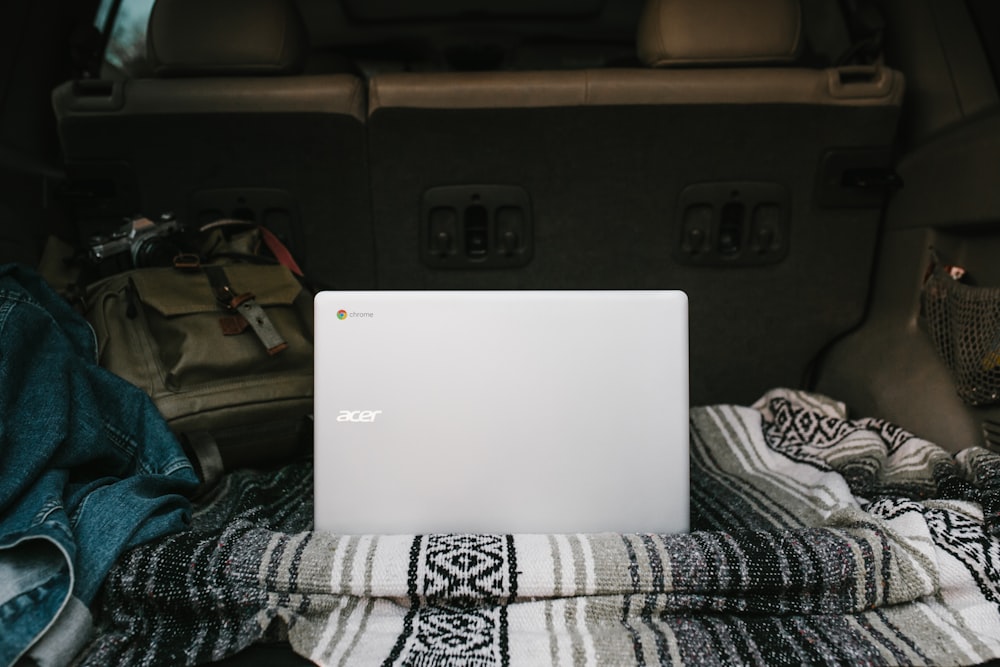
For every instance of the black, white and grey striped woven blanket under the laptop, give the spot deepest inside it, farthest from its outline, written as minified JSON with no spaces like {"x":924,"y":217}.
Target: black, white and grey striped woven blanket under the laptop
{"x":819,"y":540}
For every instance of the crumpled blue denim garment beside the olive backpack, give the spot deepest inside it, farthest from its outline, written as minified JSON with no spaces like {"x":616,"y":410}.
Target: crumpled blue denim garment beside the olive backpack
{"x":88,"y":467}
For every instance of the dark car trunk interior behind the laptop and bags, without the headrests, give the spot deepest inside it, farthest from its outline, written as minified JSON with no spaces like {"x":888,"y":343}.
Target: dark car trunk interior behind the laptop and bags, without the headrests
{"x":816,"y":213}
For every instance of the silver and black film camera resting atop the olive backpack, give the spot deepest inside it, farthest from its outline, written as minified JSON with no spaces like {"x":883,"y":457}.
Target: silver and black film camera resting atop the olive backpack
{"x":139,"y":243}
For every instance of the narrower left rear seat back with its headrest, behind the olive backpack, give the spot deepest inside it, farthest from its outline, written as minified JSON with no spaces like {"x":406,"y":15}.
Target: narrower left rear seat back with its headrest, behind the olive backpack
{"x":228,"y":128}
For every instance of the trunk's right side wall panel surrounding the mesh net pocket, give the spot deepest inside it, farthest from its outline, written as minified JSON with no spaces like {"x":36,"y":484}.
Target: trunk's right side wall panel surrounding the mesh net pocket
{"x":893,"y":350}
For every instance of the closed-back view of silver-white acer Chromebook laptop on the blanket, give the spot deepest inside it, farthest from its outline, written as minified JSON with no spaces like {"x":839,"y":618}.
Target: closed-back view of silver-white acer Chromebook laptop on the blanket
{"x":501,"y":412}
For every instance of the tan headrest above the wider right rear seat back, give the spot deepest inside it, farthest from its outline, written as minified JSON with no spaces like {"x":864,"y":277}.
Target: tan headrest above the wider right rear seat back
{"x":719,"y":32}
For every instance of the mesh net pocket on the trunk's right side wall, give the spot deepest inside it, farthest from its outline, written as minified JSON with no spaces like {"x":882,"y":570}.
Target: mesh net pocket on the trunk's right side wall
{"x":964,"y":323}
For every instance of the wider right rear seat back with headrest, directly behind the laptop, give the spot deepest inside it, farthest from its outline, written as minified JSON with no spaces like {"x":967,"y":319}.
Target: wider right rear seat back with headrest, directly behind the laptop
{"x":722,"y":169}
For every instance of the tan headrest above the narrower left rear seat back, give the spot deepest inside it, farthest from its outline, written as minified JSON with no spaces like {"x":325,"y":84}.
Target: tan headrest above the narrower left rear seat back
{"x":225,"y":37}
